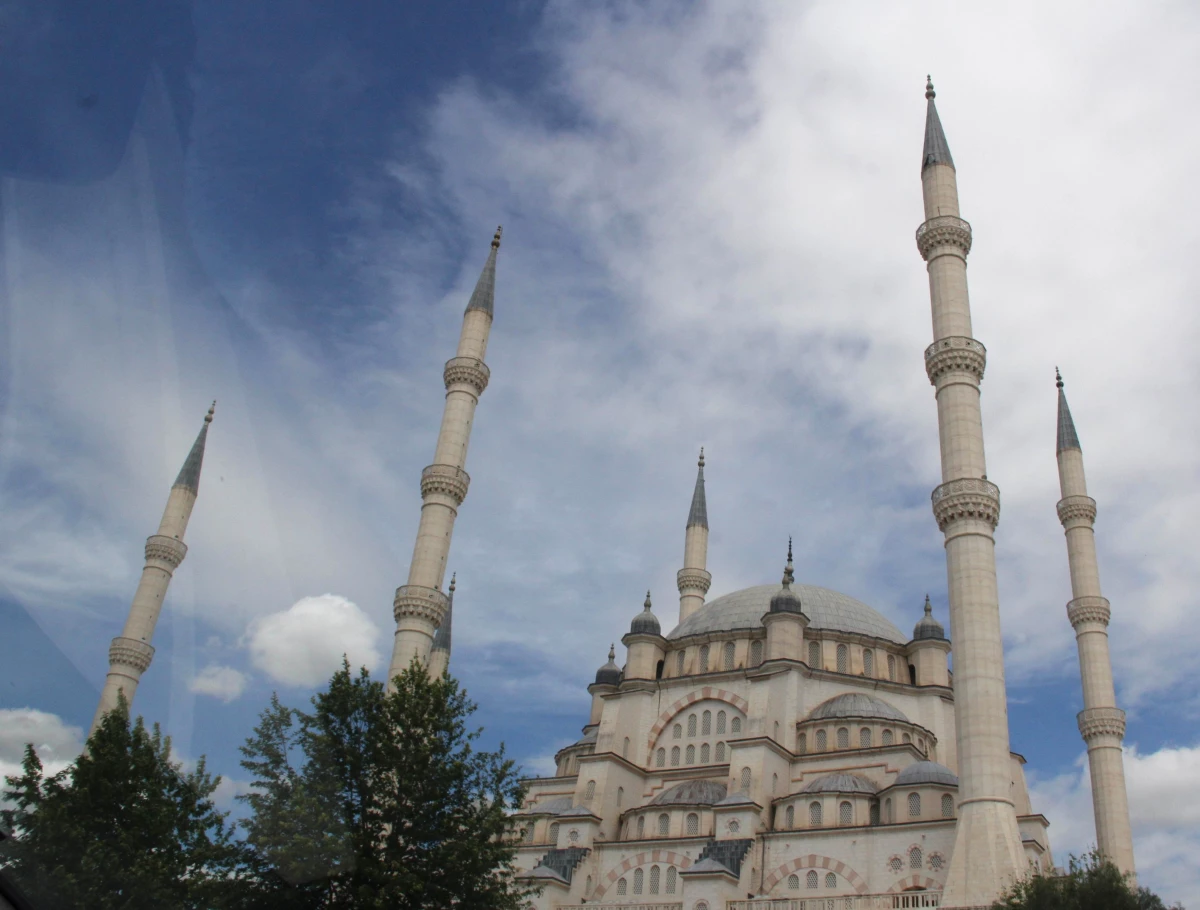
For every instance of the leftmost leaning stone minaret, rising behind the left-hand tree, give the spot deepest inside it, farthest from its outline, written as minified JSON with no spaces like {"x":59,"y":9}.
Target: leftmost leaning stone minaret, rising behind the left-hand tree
{"x":130,"y":655}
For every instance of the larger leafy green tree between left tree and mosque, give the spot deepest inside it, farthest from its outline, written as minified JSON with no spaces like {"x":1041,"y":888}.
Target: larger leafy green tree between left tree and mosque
{"x":380,"y":800}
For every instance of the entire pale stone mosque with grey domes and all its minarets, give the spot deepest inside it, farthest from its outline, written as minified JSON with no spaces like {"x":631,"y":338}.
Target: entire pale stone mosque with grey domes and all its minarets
{"x":784,"y":746}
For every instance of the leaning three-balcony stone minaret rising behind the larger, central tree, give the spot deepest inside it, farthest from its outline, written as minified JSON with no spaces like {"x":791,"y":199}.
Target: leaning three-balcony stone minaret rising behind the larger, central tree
{"x":421,"y":606}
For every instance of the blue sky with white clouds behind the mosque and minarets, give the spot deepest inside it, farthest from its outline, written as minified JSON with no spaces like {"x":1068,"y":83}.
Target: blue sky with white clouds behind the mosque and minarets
{"x":709,"y":241}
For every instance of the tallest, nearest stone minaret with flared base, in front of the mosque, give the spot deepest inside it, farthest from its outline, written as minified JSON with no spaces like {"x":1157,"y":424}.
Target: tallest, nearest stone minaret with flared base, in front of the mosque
{"x":988,"y":854}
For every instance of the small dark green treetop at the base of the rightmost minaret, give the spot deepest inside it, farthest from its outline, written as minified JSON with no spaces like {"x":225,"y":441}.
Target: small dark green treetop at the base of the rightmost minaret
{"x":1091,"y":883}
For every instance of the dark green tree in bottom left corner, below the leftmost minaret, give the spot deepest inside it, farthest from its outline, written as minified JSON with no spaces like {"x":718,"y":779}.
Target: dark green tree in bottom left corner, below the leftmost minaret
{"x":121,"y":828}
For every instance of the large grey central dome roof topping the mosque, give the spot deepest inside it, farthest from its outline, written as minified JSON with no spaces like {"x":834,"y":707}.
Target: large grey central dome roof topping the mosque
{"x":826,"y":609}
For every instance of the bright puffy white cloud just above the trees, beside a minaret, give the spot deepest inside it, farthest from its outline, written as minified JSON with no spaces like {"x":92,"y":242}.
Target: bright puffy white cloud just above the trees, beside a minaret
{"x":304,"y":645}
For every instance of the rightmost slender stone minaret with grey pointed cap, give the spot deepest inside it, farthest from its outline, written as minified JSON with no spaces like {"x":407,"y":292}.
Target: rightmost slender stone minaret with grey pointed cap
{"x":1101,"y":722}
